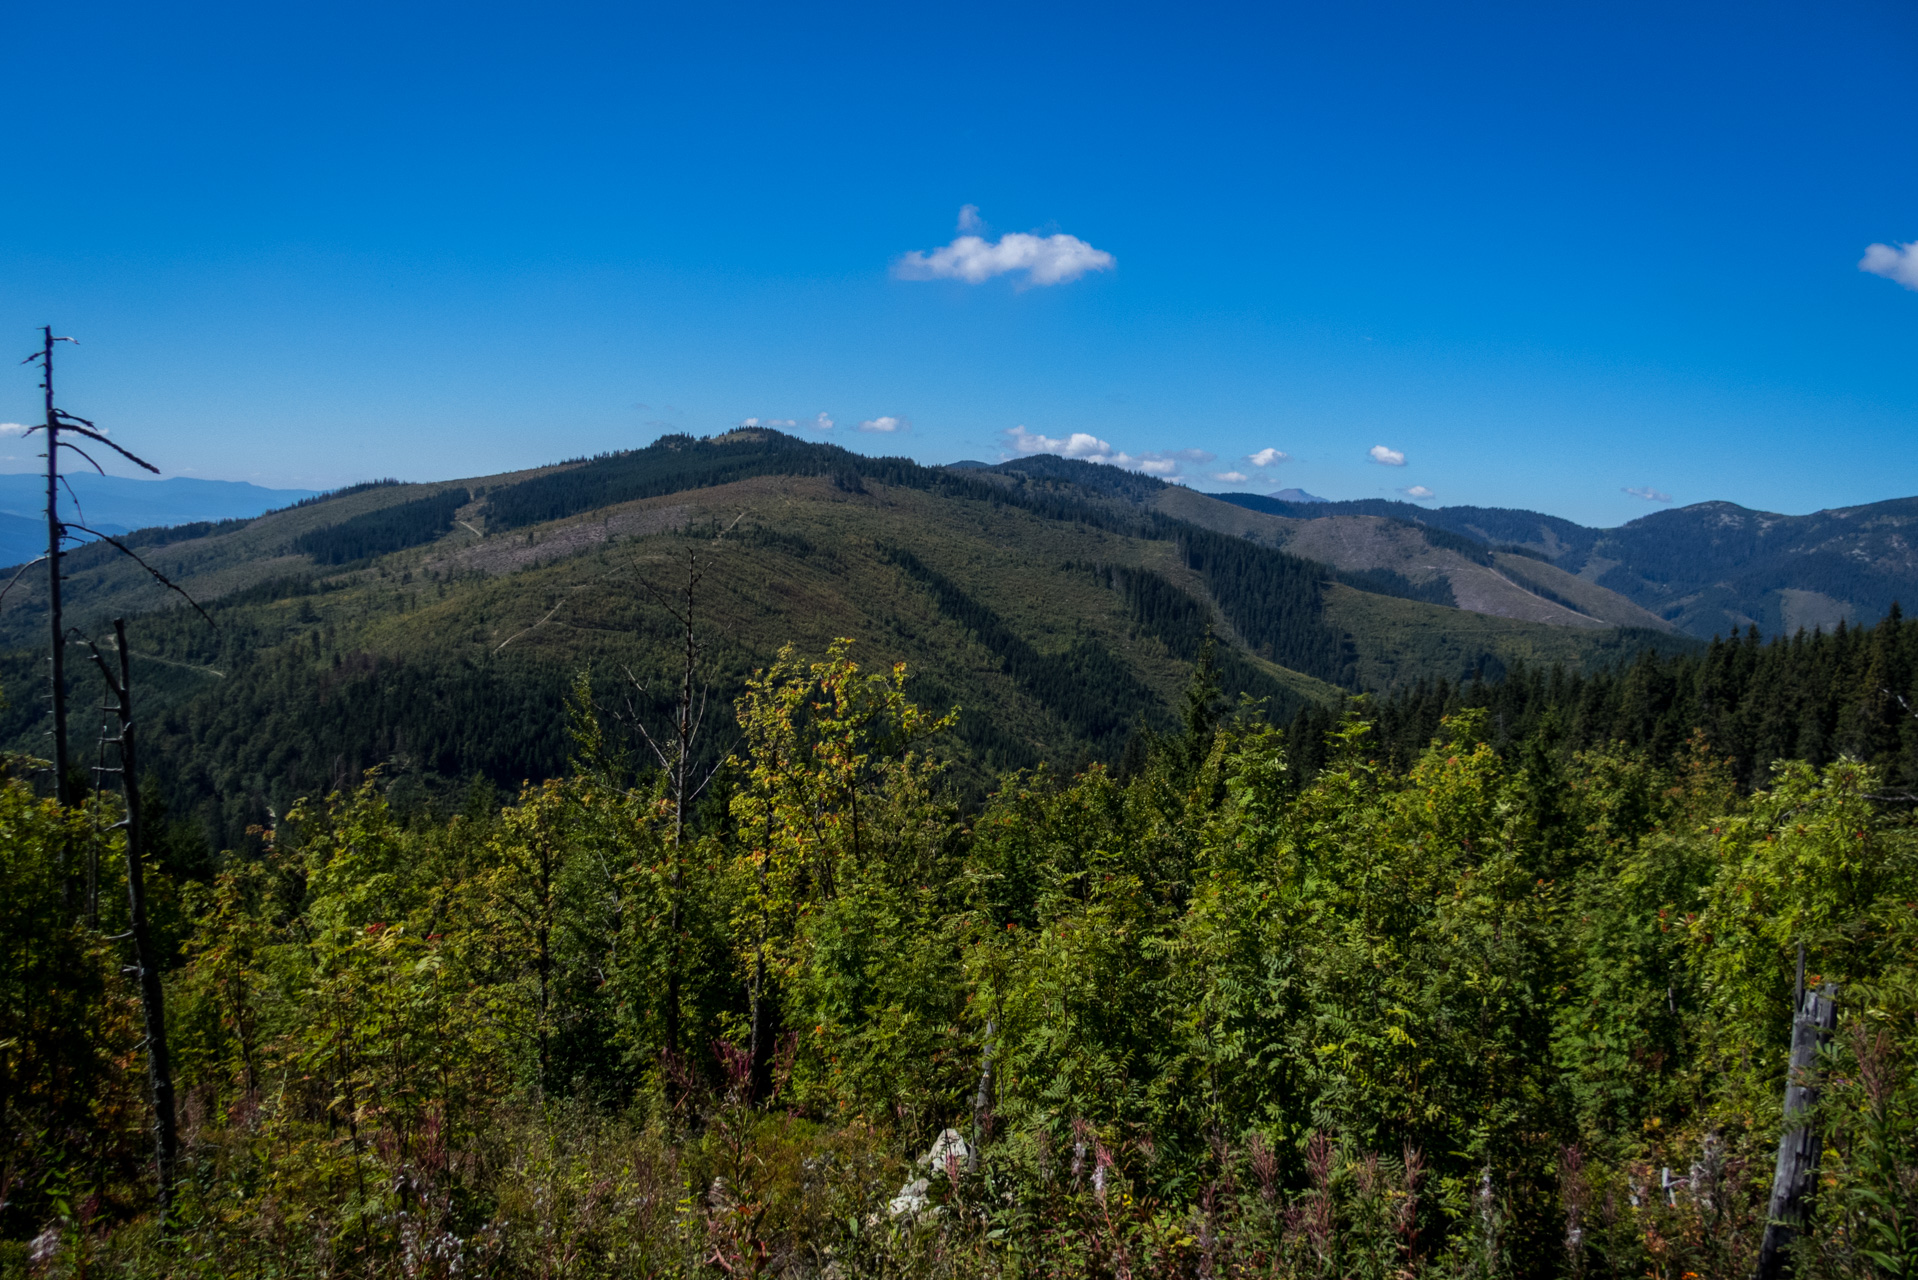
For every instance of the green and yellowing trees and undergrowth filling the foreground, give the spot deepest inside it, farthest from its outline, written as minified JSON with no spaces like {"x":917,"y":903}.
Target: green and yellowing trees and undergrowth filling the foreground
{"x":1476,"y":980}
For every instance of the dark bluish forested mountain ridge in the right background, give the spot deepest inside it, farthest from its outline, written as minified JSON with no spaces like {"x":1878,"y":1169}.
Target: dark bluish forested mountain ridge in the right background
{"x":1712,"y":569}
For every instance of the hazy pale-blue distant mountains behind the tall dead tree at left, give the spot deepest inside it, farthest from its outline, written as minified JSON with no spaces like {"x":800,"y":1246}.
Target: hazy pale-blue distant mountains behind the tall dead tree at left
{"x":114,"y":506}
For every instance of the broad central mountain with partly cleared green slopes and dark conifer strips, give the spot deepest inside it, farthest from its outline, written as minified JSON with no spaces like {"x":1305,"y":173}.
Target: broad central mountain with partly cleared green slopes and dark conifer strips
{"x":434,"y":627}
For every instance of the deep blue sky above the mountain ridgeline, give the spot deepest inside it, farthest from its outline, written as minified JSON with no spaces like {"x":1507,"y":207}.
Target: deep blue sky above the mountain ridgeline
{"x":1547,"y":254}
